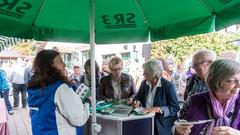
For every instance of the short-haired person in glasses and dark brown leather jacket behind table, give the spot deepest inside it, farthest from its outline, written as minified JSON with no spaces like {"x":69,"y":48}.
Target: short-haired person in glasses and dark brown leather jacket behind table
{"x":117,"y":85}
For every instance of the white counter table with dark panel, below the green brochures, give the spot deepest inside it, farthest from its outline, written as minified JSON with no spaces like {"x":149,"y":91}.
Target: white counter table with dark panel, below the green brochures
{"x":131,"y":125}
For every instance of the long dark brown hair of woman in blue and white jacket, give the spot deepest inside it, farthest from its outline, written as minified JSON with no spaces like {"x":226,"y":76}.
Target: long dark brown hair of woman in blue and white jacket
{"x":44,"y":71}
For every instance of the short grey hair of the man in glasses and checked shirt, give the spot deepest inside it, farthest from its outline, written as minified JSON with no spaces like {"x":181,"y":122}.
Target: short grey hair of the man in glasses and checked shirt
{"x":205,"y":53}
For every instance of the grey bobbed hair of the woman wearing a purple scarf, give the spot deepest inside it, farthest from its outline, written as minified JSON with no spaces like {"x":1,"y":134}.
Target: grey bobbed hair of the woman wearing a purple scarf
{"x":220,"y":71}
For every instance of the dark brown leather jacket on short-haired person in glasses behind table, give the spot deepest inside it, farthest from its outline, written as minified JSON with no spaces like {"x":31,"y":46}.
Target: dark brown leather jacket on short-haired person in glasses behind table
{"x":127,"y":86}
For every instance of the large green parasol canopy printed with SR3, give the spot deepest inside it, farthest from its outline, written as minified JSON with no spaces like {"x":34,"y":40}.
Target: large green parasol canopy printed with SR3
{"x":115,"y":20}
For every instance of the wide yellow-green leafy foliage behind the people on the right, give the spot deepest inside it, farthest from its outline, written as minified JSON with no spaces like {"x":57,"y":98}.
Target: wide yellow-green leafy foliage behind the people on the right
{"x":182,"y":48}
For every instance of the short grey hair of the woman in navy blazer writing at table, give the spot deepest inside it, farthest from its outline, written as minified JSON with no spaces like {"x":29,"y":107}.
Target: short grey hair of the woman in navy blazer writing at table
{"x":153,"y":66}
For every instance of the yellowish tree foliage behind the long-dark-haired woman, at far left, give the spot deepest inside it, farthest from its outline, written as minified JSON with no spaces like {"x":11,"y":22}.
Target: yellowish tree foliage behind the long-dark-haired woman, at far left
{"x":26,"y":48}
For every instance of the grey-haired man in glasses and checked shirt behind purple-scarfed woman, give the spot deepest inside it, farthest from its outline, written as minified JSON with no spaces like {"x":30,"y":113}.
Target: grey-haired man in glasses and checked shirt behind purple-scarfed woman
{"x":200,"y":61}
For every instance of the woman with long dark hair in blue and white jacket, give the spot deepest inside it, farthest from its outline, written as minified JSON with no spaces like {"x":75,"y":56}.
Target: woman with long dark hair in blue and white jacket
{"x":54,"y":107}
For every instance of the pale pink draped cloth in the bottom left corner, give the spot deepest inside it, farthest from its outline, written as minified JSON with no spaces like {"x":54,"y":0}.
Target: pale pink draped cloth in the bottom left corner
{"x":4,"y":129}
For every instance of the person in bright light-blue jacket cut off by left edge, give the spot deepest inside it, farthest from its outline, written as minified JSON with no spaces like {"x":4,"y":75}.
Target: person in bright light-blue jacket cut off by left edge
{"x":4,"y":90}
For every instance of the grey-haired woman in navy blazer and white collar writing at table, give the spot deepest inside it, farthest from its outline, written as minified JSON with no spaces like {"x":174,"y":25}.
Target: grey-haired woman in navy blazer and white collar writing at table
{"x":158,"y":95}
